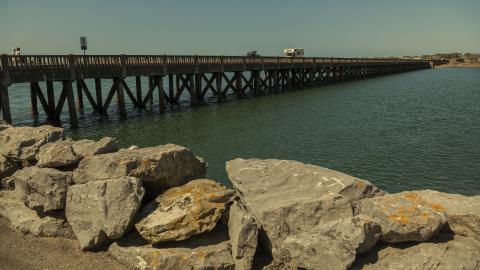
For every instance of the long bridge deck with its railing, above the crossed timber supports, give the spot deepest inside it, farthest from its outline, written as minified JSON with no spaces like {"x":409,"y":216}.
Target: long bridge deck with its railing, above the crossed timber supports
{"x":69,"y":67}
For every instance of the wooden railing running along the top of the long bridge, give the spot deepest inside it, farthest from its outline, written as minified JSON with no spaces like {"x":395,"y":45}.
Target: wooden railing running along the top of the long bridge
{"x":175,"y":63}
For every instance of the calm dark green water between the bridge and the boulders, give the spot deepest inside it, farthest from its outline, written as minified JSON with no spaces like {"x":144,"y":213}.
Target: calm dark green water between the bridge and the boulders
{"x":407,"y":131}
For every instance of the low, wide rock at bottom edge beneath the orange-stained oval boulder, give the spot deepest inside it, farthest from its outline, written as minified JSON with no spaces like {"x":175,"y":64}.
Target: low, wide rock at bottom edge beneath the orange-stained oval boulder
{"x":207,"y":251}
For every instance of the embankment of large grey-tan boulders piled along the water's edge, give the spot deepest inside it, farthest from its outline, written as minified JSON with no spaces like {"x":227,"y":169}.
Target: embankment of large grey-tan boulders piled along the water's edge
{"x":151,"y":208}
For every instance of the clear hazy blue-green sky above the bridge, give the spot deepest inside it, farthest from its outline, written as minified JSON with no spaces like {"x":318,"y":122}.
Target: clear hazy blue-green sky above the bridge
{"x":323,"y":28}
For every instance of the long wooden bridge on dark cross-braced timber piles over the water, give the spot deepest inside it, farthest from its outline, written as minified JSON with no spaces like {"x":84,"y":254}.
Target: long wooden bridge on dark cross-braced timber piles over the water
{"x":195,"y":75}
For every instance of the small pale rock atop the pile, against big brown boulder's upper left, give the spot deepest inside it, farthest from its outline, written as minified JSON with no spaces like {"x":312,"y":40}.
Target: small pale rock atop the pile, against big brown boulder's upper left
{"x":86,"y":148}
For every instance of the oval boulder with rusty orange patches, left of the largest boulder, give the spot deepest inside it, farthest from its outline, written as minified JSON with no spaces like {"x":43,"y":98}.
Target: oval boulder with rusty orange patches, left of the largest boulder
{"x":184,"y":211}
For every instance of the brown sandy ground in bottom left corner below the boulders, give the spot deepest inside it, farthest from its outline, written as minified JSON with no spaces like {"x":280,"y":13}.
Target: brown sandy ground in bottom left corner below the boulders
{"x":19,"y":251}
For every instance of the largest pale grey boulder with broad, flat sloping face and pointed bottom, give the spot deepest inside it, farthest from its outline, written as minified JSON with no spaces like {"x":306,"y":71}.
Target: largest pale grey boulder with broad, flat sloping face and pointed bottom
{"x":288,"y":197}
